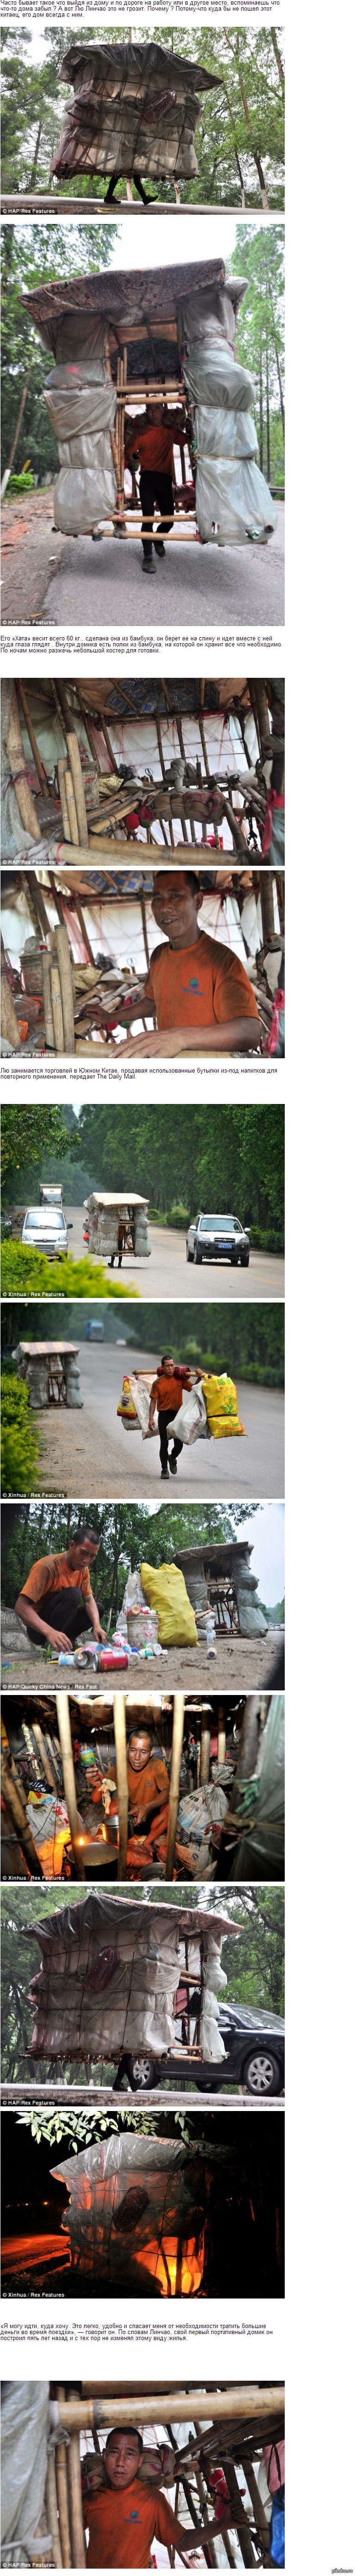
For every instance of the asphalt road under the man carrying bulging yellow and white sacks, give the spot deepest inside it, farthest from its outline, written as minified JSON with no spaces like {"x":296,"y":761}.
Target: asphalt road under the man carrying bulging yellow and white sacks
{"x":89,"y":1452}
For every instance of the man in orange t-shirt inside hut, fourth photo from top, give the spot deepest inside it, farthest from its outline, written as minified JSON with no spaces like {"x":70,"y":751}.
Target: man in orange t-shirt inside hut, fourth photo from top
{"x":197,"y":983}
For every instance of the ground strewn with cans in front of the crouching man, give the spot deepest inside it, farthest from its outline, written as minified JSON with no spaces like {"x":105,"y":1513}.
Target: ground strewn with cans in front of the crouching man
{"x":241,"y":1665}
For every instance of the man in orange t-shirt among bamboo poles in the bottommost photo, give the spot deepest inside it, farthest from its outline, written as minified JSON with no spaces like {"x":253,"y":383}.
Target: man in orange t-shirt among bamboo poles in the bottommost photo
{"x":125,"y":2513}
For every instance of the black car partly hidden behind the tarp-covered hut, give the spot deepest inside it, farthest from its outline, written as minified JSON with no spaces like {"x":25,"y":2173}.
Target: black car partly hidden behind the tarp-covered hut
{"x":256,"y":2057}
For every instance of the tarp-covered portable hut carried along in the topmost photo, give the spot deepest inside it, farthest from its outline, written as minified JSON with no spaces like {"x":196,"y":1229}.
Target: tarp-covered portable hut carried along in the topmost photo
{"x":135,"y":109}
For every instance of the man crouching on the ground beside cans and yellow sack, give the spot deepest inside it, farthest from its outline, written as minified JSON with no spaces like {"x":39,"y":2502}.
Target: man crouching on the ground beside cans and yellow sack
{"x":58,"y":1601}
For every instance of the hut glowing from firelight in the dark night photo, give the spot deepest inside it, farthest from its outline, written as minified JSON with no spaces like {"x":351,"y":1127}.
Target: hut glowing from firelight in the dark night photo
{"x":125,"y":2196}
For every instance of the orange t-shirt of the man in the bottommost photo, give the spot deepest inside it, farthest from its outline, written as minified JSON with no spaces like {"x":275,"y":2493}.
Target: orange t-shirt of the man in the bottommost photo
{"x":122,"y":2526}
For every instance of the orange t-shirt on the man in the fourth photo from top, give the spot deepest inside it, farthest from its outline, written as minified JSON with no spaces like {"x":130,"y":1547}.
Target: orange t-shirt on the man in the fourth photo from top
{"x":199,"y":985}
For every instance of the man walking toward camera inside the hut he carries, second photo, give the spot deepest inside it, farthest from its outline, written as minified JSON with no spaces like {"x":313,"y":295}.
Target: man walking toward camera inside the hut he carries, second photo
{"x":150,"y":442}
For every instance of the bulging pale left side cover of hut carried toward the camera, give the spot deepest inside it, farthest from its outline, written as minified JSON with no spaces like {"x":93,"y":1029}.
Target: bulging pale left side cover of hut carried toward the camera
{"x":81,"y":403}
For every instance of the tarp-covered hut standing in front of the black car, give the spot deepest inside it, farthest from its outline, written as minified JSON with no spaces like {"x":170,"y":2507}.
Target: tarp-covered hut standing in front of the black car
{"x":112,"y":1972}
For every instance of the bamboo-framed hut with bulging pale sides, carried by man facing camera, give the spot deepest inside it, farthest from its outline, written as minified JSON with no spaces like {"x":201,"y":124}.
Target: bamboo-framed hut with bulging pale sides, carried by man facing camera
{"x":161,"y":334}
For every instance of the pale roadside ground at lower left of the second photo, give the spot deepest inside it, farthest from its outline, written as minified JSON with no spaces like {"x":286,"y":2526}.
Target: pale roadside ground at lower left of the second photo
{"x":27,"y":550}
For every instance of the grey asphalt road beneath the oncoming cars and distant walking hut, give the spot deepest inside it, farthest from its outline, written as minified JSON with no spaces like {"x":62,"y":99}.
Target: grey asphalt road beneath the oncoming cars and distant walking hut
{"x":168,"y":1271}
